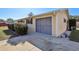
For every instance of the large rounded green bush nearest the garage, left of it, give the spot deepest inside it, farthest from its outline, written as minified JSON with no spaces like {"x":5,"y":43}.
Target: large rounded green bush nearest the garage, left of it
{"x":21,"y":29}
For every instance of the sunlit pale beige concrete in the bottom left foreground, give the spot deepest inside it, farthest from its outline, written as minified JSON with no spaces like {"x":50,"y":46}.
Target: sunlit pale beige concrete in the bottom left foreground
{"x":27,"y":46}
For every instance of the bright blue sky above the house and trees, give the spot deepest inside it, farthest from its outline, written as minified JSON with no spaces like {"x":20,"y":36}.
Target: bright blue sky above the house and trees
{"x":17,"y":13}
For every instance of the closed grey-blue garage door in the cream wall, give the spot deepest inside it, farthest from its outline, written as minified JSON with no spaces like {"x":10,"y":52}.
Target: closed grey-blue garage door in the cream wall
{"x":44,"y":25}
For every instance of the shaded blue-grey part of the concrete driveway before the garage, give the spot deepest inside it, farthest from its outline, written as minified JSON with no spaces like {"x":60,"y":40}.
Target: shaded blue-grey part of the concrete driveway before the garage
{"x":47,"y":42}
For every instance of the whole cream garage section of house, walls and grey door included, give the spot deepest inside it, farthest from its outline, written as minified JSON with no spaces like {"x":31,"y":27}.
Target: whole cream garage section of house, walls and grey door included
{"x":52,"y":23}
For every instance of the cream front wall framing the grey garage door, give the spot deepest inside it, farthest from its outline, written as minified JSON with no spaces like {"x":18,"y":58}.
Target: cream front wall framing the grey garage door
{"x":43,"y":16}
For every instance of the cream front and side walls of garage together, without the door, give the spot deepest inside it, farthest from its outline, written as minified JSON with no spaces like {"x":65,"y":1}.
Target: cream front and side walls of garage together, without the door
{"x":58,"y":24}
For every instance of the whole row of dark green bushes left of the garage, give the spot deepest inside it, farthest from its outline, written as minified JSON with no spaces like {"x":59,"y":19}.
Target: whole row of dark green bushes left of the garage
{"x":19,"y":29}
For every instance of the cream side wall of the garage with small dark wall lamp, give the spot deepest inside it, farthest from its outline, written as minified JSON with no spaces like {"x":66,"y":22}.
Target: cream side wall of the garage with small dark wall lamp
{"x":61,"y":26}
